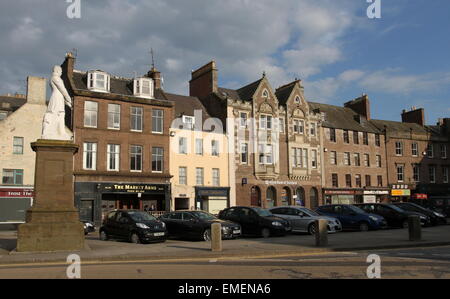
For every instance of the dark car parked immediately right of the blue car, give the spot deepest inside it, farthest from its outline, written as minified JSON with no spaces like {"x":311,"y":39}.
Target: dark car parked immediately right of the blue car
{"x":395,"y":216}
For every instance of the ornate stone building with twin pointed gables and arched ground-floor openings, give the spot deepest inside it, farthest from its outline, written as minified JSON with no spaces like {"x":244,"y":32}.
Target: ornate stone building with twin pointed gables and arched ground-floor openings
{"x":274,"y":136}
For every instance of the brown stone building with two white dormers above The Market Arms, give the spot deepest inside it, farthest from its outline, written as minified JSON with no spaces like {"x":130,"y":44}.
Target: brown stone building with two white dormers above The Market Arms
{"x":121,"y":126}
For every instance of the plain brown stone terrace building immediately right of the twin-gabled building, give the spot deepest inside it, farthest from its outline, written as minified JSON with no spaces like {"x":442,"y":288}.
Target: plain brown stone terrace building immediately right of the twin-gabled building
{"x":355,"y":155}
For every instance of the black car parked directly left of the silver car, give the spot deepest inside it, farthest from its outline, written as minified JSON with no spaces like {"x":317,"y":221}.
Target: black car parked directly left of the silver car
{"x":256,"y":221}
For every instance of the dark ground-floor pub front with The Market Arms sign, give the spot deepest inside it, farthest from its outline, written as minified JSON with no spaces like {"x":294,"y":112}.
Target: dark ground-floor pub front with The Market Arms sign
{"x":95,"y":200}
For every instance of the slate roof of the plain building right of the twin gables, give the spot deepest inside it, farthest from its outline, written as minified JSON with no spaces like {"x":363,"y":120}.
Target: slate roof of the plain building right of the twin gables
{"x":343,"y":118}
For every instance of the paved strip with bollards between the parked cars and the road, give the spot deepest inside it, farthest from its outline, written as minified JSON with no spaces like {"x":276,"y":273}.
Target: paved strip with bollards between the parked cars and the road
{"x":251,"y":247}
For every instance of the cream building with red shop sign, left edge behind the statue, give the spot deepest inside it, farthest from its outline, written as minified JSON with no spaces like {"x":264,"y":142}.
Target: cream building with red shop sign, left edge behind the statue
{"x":20,"y":124}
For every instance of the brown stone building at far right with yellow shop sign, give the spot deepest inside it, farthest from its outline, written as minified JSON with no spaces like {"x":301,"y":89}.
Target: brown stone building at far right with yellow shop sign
{"x":418,"y":156}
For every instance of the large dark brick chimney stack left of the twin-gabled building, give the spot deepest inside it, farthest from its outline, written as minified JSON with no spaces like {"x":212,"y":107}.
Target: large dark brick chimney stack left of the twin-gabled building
{"x":204,"y":81}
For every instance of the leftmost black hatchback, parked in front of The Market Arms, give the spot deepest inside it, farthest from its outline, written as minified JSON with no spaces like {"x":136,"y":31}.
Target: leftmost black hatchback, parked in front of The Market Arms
{"x":134,"y":226}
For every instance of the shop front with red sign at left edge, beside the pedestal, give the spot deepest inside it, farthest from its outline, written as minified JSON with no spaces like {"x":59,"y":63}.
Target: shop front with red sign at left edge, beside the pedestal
{"x":14,"y":203}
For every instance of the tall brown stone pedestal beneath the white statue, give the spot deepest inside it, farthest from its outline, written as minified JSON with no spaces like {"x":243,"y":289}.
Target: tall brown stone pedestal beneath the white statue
{"x":53,"y":223}
